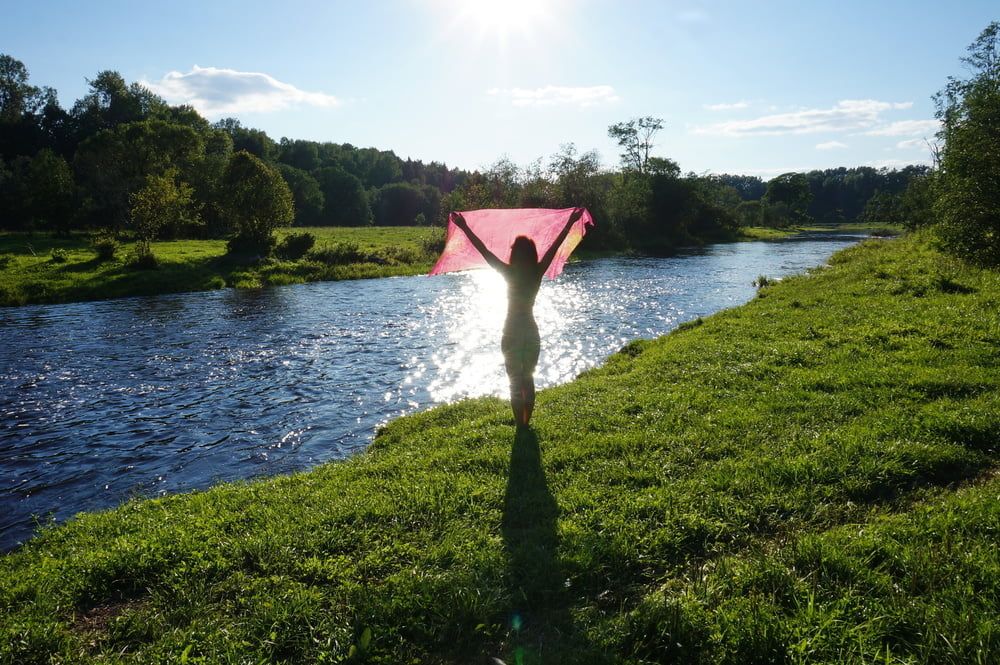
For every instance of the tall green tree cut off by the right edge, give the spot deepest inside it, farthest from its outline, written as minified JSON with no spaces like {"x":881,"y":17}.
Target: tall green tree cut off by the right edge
{"x":968,"y":192}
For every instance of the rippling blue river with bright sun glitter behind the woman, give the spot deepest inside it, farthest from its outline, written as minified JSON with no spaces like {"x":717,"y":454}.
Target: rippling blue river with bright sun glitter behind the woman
{"x":141,"y":396}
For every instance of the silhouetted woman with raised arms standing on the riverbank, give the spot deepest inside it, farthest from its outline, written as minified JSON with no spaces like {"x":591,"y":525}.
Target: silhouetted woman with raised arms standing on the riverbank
{"x":520,"y":343}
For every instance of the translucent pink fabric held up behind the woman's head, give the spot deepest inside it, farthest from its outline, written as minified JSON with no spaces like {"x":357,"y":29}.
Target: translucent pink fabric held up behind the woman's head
{"x":498,"y":228}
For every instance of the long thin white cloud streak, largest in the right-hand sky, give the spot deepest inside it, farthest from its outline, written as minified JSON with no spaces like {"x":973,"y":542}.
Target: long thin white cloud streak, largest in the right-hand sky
{"x":846,"y":115}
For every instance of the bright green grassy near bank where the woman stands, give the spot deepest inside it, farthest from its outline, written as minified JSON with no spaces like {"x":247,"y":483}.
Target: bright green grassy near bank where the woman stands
{"x":810,"y":478}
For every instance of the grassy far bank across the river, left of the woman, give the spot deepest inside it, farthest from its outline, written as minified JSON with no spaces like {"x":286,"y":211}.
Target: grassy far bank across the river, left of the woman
{"x":44,"y":268}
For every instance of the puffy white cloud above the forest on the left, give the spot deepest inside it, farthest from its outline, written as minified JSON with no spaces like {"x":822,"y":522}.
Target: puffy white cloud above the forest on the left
{"x":214,"y":91}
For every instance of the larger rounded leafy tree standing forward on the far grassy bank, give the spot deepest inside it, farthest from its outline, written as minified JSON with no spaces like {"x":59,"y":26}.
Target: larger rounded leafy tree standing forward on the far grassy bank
{"x":257,"y":202}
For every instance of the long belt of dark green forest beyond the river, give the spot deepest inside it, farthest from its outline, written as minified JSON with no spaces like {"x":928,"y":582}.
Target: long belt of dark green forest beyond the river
{"x":123,"y":161}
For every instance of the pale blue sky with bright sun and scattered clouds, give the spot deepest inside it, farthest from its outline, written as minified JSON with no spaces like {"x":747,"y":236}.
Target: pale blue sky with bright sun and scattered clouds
{"x":761,"y":88}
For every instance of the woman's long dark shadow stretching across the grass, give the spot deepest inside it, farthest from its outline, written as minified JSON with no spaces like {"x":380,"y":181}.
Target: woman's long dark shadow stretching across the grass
{"x":541,"y":624}
